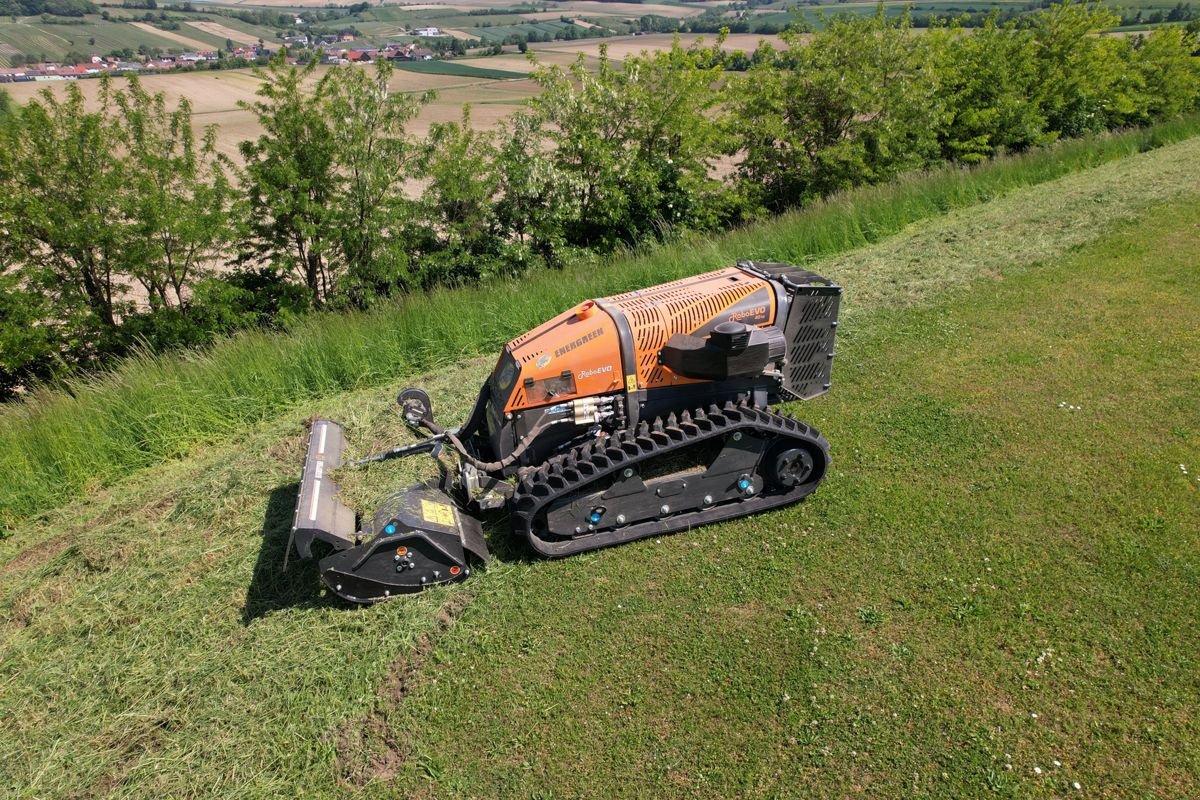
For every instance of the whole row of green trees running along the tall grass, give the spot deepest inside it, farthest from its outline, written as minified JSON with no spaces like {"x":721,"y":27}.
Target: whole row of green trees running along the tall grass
{"x":125,"y":228}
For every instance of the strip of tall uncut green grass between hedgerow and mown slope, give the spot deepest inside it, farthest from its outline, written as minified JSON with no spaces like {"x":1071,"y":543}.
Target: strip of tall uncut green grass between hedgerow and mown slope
{"x":61,"y":442}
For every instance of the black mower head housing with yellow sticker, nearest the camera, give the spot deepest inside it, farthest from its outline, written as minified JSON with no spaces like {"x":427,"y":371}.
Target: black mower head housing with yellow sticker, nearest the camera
{"x":418,"y":539}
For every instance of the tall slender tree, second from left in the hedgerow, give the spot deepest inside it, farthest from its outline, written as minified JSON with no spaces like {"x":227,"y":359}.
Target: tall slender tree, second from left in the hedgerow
{"x":325,"y":181}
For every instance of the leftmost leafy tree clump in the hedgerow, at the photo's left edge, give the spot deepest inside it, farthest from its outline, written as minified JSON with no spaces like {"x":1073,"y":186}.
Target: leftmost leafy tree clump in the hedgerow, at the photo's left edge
{"x":99,"y":202}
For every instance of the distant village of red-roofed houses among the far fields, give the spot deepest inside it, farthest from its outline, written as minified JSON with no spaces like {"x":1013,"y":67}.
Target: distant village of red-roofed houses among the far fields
{"x":327,"y":44}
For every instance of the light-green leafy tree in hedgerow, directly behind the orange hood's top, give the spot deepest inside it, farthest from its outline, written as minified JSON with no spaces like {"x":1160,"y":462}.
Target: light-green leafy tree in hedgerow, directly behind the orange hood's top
{"x":638,"y":142}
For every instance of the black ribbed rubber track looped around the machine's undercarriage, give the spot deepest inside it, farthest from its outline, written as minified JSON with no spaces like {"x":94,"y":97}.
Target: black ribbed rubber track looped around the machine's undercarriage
{"x":595,"y":460}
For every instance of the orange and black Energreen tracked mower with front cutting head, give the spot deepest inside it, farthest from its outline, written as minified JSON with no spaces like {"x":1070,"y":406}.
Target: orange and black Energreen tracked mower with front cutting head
{"x":628,"y":417}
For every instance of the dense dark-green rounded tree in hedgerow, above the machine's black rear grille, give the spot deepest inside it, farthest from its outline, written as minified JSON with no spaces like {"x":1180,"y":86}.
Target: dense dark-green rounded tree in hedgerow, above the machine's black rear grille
{"x":855,"y":105}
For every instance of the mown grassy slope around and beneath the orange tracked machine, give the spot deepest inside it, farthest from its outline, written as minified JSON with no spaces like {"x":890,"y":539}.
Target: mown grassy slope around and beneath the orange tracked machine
{"x":980,"y":555}
